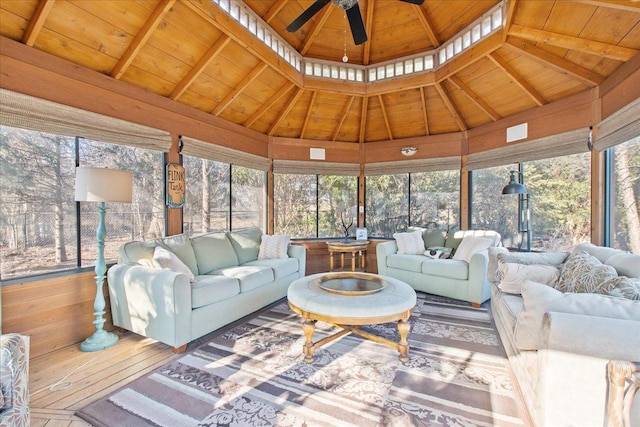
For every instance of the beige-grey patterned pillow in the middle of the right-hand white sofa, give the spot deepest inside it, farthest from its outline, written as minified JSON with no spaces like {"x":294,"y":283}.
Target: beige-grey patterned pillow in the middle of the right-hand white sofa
{"x":584,"y":273}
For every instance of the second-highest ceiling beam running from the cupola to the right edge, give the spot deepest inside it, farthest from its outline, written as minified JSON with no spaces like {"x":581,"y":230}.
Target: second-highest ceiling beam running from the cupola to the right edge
{"x":592,"y":47}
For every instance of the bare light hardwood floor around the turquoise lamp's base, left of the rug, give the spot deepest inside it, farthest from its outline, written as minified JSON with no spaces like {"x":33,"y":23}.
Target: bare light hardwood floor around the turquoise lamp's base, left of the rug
{"x":66,"y":380}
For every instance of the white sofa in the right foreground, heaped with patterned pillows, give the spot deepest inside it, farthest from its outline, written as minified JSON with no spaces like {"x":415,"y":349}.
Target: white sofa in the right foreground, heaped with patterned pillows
{"x":559,"y":342}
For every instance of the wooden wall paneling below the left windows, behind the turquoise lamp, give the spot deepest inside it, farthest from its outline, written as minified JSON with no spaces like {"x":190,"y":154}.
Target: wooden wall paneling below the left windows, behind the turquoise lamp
{"x":55,"y":312}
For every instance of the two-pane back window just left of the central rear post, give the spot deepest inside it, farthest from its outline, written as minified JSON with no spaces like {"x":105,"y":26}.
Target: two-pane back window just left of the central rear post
{"x":312,"y":206}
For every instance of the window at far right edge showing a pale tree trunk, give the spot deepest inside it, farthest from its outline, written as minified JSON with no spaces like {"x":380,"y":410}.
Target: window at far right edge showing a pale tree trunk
{"x":624,"y":222}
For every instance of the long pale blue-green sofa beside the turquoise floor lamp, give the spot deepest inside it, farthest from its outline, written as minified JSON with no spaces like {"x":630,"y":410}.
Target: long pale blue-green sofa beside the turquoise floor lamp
{"x":229,"y":282}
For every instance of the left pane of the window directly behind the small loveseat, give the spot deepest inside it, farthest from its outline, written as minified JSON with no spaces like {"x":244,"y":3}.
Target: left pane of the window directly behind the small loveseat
{"x":387,"y":206}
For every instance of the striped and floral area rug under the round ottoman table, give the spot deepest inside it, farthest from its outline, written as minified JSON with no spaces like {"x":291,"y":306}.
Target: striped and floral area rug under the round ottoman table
{"x":254,"y":375}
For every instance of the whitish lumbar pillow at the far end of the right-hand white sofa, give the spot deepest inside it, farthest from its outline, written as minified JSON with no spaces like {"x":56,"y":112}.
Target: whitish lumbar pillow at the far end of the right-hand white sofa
{"x":512,"y":275}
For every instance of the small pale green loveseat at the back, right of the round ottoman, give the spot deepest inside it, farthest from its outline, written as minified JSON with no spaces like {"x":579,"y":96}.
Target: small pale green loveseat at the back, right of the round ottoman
{"x":464,"y":279}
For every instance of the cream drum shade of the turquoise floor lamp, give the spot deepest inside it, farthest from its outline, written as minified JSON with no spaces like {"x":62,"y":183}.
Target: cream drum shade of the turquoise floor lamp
{"x":103,"y":185}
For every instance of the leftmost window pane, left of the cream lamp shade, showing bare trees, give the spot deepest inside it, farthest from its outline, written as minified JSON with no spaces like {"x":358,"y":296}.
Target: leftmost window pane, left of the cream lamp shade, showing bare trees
{"x":37,"y":213}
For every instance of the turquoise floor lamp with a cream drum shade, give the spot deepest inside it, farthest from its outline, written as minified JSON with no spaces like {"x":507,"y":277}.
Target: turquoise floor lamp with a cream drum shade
{"x":101,"y":185}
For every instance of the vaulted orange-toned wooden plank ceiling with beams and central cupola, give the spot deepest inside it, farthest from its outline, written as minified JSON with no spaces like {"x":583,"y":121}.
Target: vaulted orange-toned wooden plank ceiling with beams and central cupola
{"x":193,"y":52}
